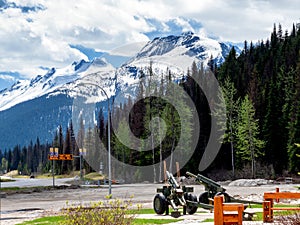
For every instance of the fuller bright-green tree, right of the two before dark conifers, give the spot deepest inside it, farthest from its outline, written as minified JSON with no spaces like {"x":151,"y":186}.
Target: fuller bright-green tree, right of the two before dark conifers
{"x":249,"y":146}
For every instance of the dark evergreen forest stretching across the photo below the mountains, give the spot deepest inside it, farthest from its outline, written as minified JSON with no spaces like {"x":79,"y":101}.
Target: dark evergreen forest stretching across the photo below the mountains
{"x":260,"y":87}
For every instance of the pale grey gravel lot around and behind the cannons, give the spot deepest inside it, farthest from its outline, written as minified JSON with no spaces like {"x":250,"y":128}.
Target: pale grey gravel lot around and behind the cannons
{"x":16,"y":208}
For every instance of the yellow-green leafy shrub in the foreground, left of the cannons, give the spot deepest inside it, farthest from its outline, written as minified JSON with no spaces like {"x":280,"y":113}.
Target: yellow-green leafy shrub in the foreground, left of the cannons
{"x":110,"y":212}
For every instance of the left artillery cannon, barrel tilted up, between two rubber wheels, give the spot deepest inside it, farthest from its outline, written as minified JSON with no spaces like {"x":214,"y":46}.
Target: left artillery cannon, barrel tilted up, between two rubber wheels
{"x":175,"y":196}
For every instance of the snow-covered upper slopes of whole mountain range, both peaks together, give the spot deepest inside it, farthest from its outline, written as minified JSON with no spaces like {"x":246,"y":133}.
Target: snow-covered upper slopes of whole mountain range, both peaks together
{"x":175,"y":53}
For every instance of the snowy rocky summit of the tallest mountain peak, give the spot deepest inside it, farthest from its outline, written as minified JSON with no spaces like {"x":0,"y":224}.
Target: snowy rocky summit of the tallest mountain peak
{"x":180,"y":51}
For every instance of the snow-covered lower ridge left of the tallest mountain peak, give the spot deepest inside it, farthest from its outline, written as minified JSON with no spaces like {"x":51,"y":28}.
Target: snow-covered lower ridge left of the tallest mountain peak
{"x":54,"y":79}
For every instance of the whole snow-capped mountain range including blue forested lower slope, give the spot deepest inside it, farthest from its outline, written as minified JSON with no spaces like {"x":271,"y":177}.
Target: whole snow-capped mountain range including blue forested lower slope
{"x":45,"y":102}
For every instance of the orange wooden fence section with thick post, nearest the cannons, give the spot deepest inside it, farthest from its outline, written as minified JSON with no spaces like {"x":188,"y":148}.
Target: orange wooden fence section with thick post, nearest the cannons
{"x":227,"y":213}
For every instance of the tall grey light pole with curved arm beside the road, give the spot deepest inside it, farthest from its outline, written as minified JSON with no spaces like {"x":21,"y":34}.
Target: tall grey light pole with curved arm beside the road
{"x":108,"y":131}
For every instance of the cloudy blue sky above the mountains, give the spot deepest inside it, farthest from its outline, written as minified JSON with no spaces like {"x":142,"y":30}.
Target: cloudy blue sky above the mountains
{"x":40,"y":34}
